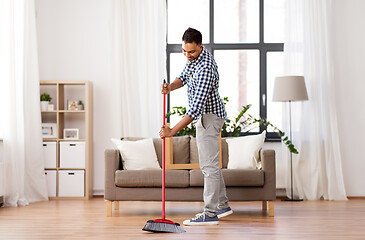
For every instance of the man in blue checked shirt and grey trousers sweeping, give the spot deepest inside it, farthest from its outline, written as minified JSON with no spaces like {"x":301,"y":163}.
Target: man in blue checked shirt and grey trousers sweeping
{"x":201,"y":76}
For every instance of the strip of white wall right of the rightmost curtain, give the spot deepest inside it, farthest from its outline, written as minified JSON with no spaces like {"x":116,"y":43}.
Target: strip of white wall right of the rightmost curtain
{"x":348,"y":40}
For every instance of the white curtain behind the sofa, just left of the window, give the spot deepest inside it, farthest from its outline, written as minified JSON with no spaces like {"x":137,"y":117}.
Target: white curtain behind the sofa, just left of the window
{"x":138,"y":35}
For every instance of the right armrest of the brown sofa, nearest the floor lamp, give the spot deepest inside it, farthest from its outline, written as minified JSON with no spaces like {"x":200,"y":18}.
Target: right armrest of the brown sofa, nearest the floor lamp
{"x":268,"y":166}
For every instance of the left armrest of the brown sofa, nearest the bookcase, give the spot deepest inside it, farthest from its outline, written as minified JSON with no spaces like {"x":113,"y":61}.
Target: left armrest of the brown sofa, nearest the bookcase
{"x":112,"y":161}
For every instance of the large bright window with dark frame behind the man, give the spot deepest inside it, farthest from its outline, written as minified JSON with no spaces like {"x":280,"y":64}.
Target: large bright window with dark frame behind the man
{"x":246,"y":39}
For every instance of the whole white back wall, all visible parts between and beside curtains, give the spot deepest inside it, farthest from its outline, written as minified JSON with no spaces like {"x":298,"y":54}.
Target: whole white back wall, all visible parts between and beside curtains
{"x":73,"y":44}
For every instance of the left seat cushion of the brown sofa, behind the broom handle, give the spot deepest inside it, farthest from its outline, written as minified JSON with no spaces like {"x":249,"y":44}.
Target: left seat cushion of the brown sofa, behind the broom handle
{"x":151,"y":178}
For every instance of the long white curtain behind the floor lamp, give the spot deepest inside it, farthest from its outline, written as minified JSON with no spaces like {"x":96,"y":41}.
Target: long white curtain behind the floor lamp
{"x":317,"y":169}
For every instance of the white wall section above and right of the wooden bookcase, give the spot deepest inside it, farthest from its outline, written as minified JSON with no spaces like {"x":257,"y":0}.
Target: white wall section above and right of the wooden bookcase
{"x":73,"y":45}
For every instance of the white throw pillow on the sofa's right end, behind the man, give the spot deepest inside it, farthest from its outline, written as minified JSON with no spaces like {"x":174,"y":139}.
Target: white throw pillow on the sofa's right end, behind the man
{"x":243,"y":152}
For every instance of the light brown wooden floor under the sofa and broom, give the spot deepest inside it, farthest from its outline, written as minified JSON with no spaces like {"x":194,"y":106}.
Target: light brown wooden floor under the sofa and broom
{"x":86,"y":219}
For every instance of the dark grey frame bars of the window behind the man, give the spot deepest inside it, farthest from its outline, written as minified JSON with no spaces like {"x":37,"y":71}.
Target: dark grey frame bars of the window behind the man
{"x":263,"y":48}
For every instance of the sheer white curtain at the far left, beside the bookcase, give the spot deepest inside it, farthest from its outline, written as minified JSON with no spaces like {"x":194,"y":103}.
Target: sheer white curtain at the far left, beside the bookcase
{"x":20,"y":104}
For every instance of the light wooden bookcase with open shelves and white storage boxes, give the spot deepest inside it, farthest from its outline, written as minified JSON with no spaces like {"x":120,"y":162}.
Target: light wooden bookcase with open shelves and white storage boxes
{"x":64,"y":93}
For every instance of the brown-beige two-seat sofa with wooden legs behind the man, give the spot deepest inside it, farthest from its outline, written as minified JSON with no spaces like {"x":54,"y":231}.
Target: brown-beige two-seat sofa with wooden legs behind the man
{"x":187,"y":185}
